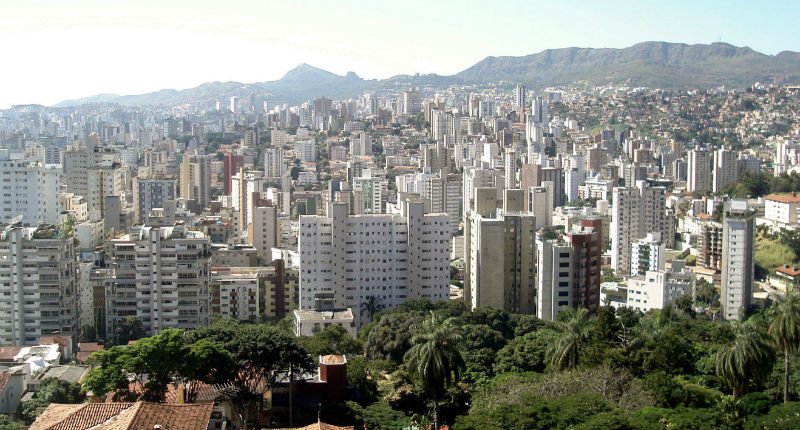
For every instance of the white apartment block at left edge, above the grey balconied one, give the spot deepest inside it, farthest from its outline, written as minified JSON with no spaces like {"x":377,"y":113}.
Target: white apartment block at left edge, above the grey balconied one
{"x":28,"y":189}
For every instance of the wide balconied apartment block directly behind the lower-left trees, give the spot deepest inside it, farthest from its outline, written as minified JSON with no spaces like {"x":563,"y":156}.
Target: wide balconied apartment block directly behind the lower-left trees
{"x":159,"y":275}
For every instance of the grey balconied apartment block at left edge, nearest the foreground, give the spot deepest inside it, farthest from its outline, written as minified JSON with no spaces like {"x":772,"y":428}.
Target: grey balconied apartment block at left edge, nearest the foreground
{"x":38,"y":283}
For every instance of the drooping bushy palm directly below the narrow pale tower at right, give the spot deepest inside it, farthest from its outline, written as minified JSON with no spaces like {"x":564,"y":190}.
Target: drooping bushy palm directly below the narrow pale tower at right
{"x":747,"y":360}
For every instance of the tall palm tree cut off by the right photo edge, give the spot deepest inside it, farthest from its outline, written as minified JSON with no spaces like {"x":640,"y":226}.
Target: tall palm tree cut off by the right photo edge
{"x":785,"y":328}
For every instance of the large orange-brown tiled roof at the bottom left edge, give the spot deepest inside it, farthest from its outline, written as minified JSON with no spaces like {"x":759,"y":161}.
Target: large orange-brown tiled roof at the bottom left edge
{"x":124,"y":416}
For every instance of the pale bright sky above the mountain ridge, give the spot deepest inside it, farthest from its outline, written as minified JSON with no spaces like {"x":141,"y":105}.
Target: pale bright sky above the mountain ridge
{"x":54,"y":50}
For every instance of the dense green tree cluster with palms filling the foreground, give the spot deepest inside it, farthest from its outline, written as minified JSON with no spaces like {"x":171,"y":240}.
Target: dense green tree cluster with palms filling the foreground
{"x":426,"y":363}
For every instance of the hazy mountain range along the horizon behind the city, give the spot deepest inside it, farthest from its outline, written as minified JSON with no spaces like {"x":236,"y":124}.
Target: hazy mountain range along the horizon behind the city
{"x":652,"y":64}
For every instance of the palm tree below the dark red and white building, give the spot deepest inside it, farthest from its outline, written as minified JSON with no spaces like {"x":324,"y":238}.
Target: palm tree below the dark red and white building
{"x":565,"y":353}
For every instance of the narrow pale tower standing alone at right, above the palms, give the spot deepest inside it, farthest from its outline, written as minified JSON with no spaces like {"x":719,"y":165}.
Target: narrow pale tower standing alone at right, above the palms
{"x":738,"y":259}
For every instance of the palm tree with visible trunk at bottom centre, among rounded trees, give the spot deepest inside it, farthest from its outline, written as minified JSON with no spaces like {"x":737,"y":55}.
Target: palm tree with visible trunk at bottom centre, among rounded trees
{"x":434,"y":359}
